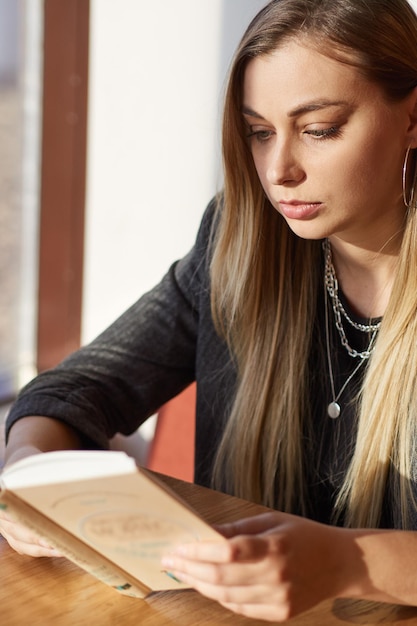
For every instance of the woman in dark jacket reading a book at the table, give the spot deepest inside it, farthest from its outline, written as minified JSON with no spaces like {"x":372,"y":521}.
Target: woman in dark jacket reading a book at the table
{"x":295,"y":312}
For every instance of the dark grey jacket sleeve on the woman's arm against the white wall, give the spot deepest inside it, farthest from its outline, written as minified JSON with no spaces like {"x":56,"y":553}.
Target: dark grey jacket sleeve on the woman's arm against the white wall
{"x":145,"y":358}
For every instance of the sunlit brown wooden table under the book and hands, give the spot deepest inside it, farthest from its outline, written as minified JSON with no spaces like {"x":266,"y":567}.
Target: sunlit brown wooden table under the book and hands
{"x":55,"y":592}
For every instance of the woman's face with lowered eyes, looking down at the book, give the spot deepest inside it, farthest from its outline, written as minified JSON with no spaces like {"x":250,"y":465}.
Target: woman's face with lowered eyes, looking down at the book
{"x":327,"y":145}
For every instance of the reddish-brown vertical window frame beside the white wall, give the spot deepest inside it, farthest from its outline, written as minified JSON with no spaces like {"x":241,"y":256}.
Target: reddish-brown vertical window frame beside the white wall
{"x":63,"y":179}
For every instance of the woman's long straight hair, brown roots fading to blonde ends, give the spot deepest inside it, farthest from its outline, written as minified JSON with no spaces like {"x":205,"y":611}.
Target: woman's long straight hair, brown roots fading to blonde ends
{"x":265,"y":281}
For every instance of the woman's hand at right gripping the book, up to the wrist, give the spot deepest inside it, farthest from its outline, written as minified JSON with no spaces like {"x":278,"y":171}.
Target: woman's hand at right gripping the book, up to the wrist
{"x":272,"y":567}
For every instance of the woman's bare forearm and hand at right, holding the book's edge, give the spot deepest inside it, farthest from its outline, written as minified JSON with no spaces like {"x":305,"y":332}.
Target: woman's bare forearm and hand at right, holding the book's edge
{"x":275,"y":566}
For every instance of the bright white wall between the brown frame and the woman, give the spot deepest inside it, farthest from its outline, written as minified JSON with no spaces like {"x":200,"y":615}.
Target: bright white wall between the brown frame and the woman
{"x":156,"y":75}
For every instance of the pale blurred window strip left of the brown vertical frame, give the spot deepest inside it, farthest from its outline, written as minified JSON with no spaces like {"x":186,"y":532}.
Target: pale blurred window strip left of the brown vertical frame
{"x":20,"y":86}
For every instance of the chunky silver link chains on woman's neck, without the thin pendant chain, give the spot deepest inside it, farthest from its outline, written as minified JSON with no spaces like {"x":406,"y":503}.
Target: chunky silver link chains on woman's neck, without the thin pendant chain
{"x":332,"y":287}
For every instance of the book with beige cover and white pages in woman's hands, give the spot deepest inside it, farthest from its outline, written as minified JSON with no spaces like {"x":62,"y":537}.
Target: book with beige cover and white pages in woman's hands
{"x":104,"y":513}
